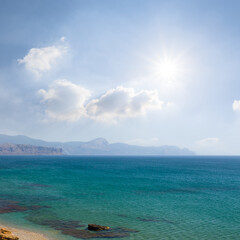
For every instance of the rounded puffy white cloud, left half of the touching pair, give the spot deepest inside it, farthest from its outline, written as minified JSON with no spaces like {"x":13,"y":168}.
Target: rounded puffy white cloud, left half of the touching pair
{"x":65,"y":101}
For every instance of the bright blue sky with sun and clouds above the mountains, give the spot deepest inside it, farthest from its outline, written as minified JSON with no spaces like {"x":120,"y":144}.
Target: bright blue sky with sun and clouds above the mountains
{"x":144,"y":72}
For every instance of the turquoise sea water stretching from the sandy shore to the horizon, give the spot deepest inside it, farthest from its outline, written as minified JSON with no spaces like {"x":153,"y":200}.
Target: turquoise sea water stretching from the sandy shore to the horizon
{"x":160,"y":197}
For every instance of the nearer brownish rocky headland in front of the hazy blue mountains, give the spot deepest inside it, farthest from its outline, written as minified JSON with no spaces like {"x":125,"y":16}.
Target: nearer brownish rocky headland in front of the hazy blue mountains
{"x":23,"y":149}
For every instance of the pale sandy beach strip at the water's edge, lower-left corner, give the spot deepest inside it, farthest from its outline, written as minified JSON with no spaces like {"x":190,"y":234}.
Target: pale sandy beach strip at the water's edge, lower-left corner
{"x":24,"y":234}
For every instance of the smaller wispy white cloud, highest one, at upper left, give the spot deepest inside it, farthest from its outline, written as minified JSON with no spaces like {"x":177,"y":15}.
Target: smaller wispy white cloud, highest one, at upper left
{"x":39,"y":60}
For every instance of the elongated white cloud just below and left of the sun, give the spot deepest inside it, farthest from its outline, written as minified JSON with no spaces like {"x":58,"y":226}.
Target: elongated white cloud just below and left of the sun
{"x":122,"y":103}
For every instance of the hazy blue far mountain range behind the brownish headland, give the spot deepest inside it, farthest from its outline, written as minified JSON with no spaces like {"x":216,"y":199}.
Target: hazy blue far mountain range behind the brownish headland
{"x":98,"y":146}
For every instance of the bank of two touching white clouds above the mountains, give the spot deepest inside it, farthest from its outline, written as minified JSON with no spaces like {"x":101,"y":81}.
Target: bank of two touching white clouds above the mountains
{"x":66,"y":101}
